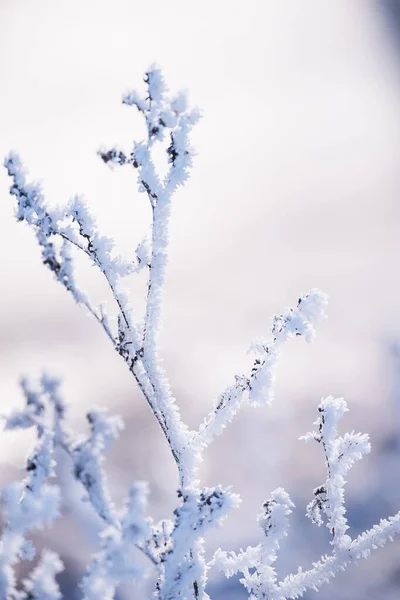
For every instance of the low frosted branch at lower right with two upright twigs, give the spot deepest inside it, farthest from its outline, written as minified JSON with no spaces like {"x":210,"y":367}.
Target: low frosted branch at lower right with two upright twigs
{"x":255,"y":563}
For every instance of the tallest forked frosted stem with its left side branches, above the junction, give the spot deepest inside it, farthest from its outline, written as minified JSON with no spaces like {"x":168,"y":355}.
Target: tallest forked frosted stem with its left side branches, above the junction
{"x":74,"y":226}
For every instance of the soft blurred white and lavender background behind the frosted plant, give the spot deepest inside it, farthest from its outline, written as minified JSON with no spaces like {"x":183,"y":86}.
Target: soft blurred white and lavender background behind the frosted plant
{"x":296,"y":185}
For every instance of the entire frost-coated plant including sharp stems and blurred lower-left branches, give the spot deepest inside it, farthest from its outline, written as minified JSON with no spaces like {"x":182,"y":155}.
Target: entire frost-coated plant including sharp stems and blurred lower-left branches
{"x":175,"y":547}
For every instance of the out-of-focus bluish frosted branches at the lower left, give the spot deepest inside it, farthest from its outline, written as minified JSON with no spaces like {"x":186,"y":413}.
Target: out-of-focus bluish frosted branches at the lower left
{"x":34,"y":504}
